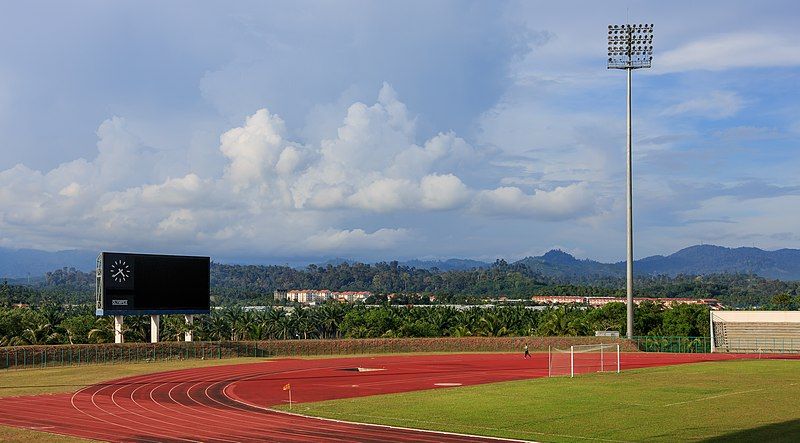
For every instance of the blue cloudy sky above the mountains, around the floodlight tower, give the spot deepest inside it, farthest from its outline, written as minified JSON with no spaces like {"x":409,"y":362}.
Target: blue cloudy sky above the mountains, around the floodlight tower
{"x":379,"y":130}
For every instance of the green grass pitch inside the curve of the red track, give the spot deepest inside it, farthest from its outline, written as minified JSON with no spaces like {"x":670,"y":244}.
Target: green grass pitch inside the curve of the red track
{"x":757,"y":400}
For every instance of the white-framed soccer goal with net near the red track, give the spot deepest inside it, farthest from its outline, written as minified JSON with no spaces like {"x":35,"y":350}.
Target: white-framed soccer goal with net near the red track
{"x":582,"y":359}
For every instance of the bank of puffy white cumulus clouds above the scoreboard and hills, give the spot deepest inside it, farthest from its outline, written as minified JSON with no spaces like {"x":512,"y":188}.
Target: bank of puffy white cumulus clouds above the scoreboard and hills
{"x":275,"y":195}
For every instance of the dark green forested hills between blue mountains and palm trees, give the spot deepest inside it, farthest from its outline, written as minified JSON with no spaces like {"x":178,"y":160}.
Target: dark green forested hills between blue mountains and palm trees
{"x":251,"y":284}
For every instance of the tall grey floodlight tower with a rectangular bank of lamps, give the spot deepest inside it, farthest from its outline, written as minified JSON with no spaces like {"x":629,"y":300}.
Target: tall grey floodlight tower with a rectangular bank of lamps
{"x":630,"y":47}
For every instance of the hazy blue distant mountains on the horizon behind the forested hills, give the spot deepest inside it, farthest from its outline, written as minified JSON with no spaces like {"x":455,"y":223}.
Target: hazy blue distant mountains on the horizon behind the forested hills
{"x":783,"y":264}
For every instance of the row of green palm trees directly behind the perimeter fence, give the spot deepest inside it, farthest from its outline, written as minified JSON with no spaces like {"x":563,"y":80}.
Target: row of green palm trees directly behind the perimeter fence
{"x":53,"y":324}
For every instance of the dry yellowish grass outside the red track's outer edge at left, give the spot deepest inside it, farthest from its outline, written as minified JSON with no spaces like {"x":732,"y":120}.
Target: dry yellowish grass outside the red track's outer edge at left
{"x":72,"y":378}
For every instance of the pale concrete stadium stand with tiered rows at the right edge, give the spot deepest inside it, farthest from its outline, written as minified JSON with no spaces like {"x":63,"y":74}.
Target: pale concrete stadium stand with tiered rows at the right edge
{"x":755,"y":331}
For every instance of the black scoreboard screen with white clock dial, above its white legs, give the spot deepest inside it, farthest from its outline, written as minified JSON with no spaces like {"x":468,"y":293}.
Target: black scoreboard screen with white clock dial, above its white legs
{"x":134,"y":284}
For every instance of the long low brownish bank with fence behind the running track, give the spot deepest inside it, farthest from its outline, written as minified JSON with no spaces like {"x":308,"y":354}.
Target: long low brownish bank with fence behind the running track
{"x":44,"y":356}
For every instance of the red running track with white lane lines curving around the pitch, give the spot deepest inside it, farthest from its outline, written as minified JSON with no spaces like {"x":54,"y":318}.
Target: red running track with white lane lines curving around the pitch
{"x":230,"y":403}
